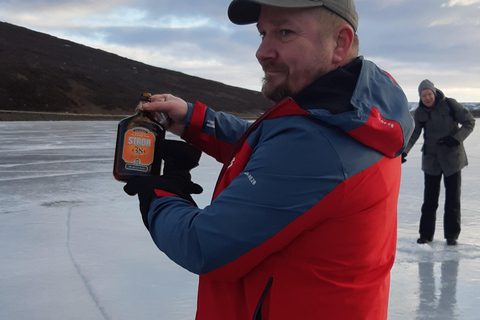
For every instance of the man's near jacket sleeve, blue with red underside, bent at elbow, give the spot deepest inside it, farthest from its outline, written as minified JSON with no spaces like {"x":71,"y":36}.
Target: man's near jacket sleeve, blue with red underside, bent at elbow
{"x":263,"y":209}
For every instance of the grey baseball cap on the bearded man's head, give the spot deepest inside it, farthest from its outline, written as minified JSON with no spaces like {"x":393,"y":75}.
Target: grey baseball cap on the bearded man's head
{"x":248,"y":11}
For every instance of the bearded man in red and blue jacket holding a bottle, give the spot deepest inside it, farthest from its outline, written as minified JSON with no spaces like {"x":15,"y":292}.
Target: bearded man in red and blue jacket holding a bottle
{"x":302,"y":224}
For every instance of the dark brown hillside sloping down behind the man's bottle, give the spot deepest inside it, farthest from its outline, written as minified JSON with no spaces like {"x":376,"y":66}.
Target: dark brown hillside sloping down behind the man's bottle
{"x":42,"y":73}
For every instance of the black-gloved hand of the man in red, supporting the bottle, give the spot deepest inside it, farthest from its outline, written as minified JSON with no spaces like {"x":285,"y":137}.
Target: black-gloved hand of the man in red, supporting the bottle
{"x":180,"y":158}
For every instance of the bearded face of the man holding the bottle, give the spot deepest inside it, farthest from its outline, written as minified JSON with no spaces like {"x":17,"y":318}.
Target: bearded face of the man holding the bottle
{"x":294,"y":50}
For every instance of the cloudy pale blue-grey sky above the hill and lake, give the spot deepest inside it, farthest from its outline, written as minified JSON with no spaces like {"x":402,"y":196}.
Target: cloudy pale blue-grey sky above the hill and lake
{"x":411,"y":39}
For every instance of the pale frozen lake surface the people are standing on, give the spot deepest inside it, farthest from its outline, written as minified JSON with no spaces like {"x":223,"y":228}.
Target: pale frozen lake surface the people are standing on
{"x":73,"y":246}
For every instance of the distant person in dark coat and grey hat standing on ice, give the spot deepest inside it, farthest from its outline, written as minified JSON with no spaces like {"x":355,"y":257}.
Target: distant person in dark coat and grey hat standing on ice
{"x":443,"y":154}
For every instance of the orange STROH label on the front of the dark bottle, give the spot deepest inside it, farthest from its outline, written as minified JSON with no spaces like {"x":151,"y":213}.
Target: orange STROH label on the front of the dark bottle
{"x":139,"y":147}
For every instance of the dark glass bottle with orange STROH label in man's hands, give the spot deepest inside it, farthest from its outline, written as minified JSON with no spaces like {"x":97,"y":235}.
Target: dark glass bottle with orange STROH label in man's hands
{"x":137,"y":151}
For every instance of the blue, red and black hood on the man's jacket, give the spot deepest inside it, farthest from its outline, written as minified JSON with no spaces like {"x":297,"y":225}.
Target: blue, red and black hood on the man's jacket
{"x":365,"y":102}
